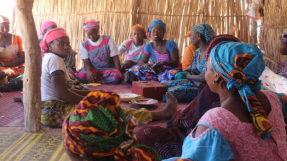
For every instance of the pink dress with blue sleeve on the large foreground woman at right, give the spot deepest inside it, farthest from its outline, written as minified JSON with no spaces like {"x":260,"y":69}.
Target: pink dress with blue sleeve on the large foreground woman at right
{"x":228,"y":138}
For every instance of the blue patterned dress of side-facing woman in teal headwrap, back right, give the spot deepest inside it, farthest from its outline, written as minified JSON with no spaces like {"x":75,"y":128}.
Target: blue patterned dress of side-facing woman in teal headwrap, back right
{"x":184,"y":89}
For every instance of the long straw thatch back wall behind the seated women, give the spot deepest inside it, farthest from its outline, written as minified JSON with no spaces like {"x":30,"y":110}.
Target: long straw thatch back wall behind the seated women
{"x":117,"y":16}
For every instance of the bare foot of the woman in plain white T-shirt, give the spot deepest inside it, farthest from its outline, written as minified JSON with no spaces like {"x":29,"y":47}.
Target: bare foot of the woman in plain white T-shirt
{"x":168,"y":111}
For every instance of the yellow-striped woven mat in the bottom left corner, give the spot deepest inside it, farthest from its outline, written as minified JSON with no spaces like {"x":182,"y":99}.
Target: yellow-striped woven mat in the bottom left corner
{"x":31,"y":147}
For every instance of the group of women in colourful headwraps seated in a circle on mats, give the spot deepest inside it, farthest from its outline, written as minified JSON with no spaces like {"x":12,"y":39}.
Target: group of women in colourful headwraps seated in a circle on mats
{"x":229,"y":119}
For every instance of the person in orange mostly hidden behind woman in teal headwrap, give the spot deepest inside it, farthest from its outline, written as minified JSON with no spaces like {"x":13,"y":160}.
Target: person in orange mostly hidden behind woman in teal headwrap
{"x":188,"y":55}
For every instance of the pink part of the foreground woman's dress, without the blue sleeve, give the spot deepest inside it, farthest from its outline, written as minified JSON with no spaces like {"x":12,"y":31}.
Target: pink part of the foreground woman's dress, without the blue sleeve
{"x":242,"y":138}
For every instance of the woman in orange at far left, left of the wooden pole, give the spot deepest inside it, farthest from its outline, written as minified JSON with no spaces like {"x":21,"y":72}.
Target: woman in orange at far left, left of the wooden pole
{"x":12,"y":56}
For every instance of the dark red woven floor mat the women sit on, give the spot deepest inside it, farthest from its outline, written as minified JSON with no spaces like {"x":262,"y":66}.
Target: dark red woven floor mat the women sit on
{"x":12,"y":114}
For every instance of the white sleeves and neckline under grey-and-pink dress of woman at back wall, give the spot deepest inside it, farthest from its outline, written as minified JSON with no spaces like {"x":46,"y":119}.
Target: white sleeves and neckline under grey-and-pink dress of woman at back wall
{"x":113,"y":48}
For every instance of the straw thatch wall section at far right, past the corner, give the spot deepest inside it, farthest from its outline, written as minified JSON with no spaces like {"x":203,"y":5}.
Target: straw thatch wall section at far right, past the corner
{"x":274,"y":24}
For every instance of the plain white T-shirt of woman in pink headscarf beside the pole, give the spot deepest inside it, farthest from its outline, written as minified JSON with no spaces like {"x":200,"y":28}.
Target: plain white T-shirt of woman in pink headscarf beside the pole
{"x":50,"y":64}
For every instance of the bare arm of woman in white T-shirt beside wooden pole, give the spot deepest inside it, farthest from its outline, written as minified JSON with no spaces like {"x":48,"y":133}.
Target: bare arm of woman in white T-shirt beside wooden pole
{"x":61,"y":90}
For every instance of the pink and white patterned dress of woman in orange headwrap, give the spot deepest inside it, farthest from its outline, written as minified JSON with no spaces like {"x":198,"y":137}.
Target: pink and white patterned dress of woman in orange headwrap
{"x":133,"y":53}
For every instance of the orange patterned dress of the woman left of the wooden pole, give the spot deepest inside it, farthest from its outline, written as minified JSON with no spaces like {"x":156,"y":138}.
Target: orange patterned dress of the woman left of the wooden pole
{"x":9,"y":54}
